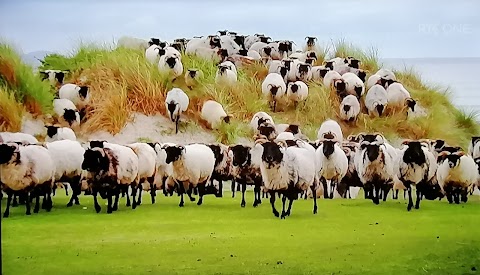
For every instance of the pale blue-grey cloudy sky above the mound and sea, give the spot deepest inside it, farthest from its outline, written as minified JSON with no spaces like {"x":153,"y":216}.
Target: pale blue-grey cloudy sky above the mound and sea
{"x":397,"y":29}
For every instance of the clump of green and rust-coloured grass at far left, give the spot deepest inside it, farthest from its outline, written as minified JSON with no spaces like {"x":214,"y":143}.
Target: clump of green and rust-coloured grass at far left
{"x":27,"y":87}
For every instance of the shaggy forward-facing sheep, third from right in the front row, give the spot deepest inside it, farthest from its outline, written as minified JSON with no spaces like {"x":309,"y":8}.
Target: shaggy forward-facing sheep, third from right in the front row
{"x":374,"y":165}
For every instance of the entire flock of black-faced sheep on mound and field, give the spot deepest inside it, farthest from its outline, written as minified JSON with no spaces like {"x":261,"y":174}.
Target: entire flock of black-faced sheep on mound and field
{"x":282,"y":161}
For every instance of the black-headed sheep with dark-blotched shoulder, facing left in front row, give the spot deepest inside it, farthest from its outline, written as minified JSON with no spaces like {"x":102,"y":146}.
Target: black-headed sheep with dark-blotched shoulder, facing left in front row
{"x":112,"y":167}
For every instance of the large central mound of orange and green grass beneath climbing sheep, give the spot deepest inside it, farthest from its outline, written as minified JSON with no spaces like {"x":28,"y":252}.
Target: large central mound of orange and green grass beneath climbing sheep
{"x":122,"y":82}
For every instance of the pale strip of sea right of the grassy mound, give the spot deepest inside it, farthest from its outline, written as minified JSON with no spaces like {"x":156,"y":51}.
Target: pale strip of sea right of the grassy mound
{"x":459,"y":75}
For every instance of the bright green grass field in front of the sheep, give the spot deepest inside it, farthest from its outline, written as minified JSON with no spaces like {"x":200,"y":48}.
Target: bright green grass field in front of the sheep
{"x":220,"y":237}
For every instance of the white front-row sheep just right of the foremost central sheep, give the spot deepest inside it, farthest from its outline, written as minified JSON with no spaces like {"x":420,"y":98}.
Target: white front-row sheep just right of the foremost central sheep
{"x":332,"y":165}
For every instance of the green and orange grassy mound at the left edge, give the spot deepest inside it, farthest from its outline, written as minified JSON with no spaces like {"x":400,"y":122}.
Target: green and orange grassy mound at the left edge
{"x":20,"y":86}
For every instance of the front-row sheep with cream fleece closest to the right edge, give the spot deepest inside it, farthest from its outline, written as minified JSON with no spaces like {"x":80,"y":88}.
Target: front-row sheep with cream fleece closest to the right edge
{"x":456,"y":173}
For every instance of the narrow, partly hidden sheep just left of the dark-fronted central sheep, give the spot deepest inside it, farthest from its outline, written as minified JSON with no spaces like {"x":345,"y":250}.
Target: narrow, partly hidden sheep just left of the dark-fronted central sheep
{"x":223,"y":166}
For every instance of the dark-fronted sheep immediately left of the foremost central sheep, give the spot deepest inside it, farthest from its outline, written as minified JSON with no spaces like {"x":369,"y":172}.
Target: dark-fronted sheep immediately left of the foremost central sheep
{"x":245,"y":171}
